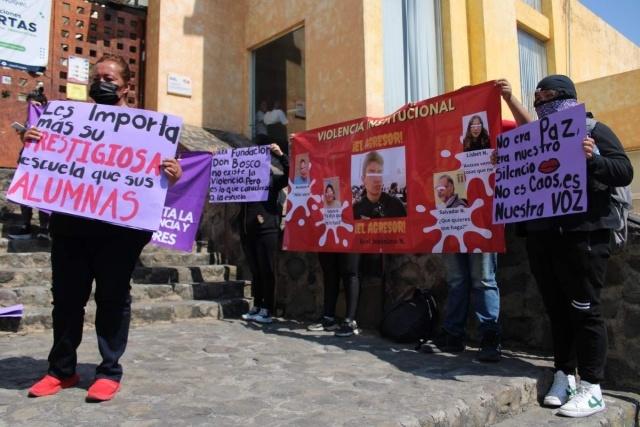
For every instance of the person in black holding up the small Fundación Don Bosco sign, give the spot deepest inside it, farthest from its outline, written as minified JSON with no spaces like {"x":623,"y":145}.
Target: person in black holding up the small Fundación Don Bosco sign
{"x":259,"y":234}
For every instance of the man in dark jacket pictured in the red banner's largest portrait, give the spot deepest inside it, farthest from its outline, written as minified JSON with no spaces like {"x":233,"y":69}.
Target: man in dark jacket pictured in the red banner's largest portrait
{"x":375,"y":203}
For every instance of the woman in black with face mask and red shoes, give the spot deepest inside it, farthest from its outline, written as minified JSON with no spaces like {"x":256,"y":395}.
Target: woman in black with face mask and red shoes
{"x":84,"y":250}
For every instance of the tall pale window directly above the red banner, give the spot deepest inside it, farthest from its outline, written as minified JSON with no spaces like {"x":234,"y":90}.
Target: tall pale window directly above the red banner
{"x":413,"y":66}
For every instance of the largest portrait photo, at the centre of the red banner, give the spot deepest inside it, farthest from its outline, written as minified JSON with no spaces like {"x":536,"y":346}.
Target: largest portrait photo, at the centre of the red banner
{"x":379,"y":184}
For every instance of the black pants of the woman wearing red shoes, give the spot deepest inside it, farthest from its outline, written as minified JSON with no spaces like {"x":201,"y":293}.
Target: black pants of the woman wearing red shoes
{"x":76,"y":262}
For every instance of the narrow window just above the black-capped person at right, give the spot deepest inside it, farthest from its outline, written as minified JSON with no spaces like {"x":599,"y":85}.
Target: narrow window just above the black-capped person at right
{"x":533,"y":66}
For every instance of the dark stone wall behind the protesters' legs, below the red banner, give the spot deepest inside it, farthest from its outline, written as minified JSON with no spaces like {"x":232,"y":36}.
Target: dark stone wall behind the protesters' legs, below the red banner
{"x":389,"y":278}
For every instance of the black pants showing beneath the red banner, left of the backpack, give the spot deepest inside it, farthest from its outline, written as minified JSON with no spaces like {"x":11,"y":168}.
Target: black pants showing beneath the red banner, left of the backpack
{"x":336,"y":266}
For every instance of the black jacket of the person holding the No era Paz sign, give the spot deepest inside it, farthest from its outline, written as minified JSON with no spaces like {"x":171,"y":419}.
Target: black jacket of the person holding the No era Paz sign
{"x":611,"y":168}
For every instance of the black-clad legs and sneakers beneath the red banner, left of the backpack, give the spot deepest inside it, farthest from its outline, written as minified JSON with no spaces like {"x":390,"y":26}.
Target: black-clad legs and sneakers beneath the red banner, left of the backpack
{"x":335,"y":267}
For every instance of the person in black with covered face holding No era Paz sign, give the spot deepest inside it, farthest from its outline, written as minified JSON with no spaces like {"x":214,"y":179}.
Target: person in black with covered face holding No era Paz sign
{"x":569,"y":254}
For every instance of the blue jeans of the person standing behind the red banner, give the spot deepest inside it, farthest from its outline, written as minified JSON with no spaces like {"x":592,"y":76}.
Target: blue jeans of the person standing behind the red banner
{"x":472,"y":275}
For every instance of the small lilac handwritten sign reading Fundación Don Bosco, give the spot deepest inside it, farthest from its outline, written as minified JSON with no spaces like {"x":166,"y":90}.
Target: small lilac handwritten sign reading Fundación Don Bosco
{"x":240,"y":175}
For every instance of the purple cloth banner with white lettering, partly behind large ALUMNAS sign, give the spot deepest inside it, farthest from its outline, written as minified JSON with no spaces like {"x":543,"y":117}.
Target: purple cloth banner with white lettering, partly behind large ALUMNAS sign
{"x":183,"y":206}
